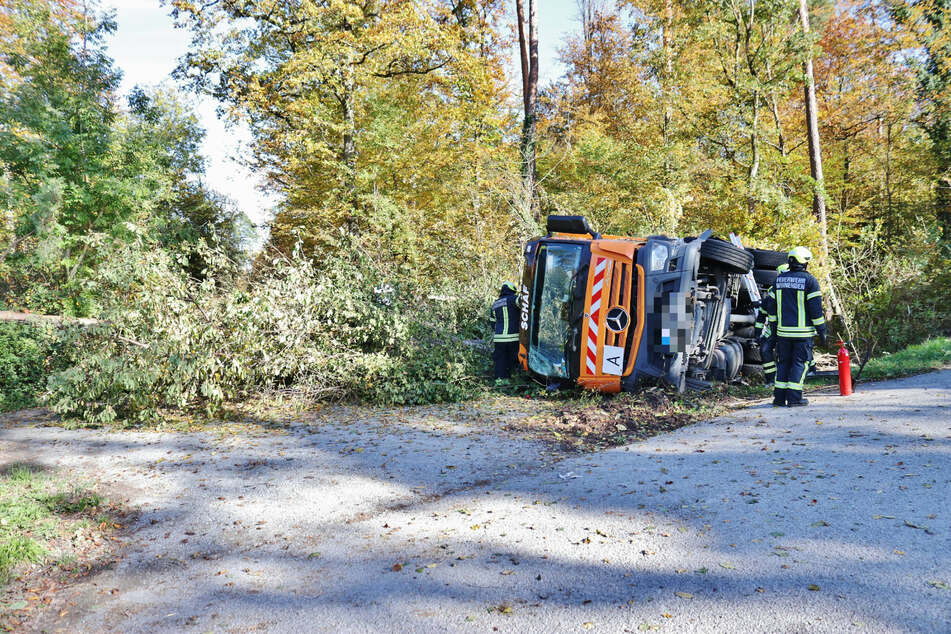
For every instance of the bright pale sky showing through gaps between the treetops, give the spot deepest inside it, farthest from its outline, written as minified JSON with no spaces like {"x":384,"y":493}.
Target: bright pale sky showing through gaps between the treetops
{"x":146,"y":47}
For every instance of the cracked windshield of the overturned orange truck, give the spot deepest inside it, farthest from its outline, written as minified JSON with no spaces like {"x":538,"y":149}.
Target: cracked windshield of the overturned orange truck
{"x":551,"y":324}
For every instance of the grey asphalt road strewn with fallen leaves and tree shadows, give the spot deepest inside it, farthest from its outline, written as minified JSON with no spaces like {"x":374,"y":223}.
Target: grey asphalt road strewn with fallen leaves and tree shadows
{"x":831,"y":518}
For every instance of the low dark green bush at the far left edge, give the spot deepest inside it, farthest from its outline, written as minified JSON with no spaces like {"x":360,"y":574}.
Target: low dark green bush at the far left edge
{"x":24,"y":354}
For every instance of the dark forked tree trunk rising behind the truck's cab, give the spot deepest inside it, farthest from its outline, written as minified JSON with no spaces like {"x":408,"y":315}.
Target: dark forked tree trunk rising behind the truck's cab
{"x":529,"y":59}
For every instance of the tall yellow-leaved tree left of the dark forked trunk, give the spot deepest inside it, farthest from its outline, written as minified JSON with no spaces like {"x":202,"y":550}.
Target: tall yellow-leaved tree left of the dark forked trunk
{"x":363,"y":112}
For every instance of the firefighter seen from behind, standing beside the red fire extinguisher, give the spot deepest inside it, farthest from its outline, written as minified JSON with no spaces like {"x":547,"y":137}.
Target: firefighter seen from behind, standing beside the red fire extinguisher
{"x":795,"y":316}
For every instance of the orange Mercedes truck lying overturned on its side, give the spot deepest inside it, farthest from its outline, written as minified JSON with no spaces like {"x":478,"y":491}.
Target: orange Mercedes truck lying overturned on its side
{"x":612,"y":313}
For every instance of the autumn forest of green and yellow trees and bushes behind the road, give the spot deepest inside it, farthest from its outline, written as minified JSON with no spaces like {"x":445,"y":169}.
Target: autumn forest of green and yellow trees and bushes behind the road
{"x":398,"y":147}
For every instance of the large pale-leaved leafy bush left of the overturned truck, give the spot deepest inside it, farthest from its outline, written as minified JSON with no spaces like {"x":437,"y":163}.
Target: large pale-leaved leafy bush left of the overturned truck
{"x":192,"y":345}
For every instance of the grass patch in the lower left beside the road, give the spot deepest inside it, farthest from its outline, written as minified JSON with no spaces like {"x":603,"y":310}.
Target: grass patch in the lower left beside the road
{"x":34,"y":509}
